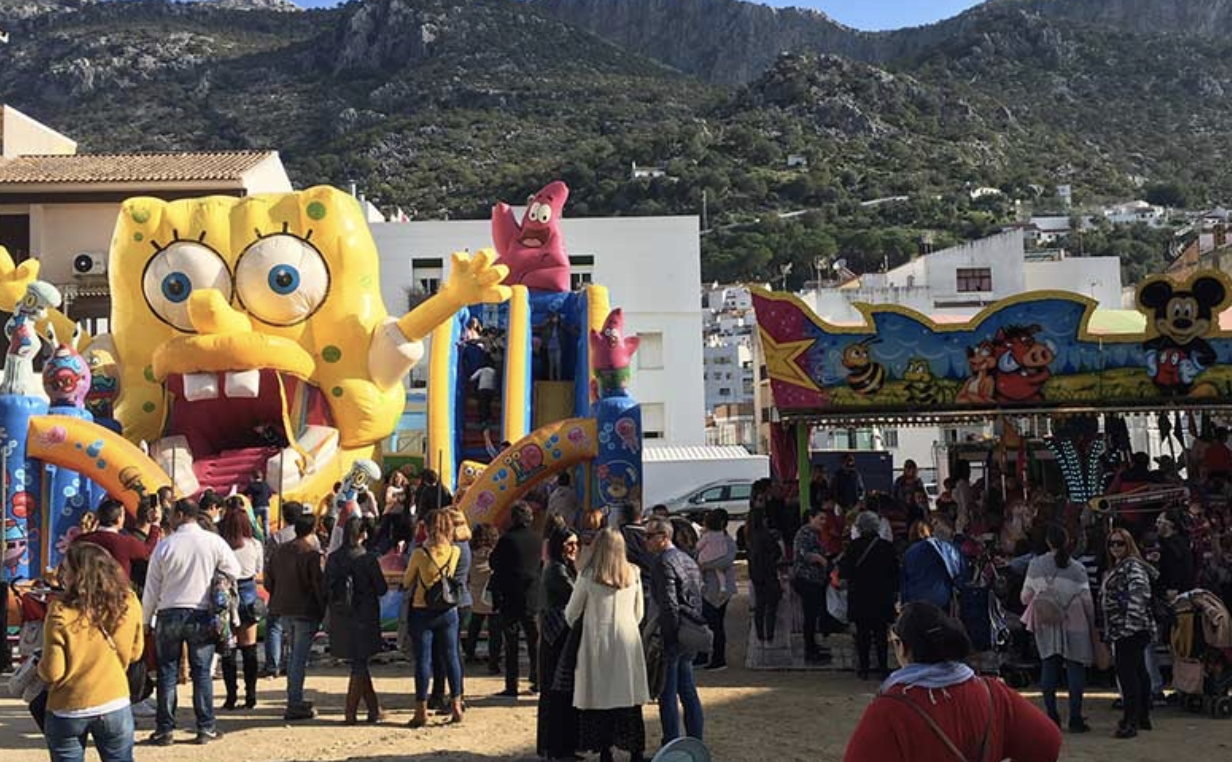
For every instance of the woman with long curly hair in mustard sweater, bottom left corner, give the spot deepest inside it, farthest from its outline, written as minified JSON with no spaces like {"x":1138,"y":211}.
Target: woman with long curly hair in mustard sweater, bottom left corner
{"x":92,"y":635}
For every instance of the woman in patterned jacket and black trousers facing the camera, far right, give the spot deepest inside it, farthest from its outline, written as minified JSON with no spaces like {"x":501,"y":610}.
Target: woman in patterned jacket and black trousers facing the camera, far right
{"x":1128,"y":626}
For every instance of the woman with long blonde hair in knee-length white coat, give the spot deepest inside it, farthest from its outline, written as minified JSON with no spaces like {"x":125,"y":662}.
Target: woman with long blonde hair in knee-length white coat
{"x":610,"y":683}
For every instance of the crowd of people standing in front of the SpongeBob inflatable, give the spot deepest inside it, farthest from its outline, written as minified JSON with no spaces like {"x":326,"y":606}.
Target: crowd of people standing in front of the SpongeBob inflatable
{"x":612,"y":619}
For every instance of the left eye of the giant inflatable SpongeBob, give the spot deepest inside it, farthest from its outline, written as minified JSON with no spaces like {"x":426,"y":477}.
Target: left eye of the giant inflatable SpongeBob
{"x":176,"y":273}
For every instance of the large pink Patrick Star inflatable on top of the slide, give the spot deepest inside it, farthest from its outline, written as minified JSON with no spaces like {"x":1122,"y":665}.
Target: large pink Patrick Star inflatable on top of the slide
{"x":534,"y":251}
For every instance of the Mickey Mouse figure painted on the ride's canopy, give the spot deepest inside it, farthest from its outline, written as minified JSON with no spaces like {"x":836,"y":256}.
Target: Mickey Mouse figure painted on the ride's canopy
{"x":1178,"y":354}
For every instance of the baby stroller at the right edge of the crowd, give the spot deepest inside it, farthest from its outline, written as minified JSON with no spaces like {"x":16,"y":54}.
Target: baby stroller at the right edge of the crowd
{"x":1202,"y":653}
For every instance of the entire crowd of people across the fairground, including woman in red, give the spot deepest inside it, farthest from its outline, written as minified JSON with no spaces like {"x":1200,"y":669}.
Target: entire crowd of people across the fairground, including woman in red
{"x":618,"y":610}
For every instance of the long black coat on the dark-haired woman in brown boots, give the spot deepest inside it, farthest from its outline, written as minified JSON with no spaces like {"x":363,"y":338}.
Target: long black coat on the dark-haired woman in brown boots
{"x":355,"y":630}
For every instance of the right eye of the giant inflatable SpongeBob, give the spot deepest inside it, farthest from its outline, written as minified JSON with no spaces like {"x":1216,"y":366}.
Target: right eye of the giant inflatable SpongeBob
{"x":282,"y":280}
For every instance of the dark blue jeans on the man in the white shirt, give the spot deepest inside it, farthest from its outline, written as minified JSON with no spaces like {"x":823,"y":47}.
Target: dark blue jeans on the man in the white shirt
{"x":177,"y":627}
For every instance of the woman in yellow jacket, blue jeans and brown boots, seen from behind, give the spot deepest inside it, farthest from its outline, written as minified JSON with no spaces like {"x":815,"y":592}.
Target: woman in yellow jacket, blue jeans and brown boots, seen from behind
{"x":432,"y":584}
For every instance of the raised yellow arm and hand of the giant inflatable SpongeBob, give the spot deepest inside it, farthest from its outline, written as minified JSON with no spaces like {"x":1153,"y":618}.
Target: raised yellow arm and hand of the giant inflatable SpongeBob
{"x":397,"y":345}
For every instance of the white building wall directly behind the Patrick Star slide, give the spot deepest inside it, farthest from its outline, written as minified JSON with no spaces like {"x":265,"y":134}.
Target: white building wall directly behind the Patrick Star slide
{"x":651,"y":265}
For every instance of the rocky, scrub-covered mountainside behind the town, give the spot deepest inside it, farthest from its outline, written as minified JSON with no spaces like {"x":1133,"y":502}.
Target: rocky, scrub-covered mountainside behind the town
{"x":862,"y":146}
